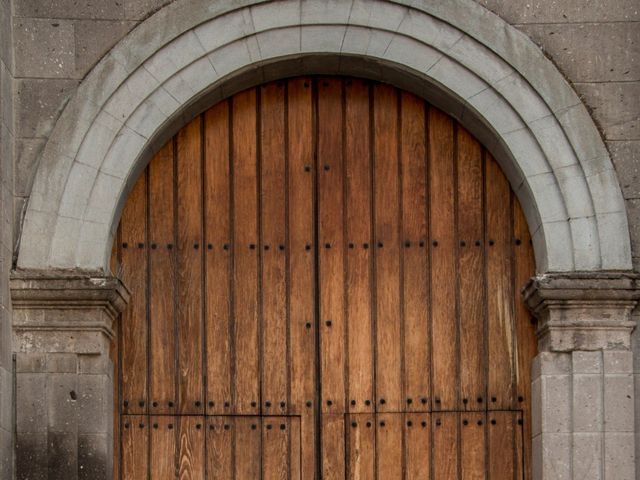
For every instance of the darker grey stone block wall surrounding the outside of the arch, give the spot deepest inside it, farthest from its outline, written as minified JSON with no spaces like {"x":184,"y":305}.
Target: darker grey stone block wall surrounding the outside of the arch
{"x":47,"y":47}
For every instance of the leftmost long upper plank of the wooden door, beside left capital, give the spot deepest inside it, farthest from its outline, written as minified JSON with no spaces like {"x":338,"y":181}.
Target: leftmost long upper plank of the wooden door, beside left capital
{"x":134,"y":318}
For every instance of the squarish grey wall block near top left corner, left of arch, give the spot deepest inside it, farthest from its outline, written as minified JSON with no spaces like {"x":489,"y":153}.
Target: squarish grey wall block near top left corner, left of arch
{"x":57,"y":60}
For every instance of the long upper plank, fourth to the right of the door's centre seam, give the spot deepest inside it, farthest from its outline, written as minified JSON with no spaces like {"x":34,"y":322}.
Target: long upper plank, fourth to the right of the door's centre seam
{"x":415,"y":254}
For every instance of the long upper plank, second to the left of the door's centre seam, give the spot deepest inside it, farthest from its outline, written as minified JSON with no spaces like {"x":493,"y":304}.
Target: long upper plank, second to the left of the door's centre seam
{"x":275,"y":362}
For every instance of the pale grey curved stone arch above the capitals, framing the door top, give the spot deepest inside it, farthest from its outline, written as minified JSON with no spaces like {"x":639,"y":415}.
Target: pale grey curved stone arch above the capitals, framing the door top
{"x":457,"y":55}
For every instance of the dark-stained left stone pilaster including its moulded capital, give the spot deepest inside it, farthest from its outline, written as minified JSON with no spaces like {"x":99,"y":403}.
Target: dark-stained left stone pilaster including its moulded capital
{"x":63,"y":332}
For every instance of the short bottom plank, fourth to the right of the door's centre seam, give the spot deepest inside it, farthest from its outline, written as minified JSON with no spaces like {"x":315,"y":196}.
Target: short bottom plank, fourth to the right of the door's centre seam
{"x":418,"y":445}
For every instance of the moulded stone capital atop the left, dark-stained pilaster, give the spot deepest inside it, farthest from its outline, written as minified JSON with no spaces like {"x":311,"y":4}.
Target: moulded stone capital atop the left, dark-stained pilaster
{"x":50,"y":305}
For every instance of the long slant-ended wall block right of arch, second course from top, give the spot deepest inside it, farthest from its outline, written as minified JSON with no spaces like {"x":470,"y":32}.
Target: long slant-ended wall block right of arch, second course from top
{"x":591,"y":52}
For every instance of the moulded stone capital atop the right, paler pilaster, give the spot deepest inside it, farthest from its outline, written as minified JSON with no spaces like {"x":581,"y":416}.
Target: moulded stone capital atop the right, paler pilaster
{"x":583,"y":310}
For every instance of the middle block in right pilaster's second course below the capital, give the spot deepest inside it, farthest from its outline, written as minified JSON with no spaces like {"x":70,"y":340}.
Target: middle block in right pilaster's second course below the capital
{"x":587,"y":403}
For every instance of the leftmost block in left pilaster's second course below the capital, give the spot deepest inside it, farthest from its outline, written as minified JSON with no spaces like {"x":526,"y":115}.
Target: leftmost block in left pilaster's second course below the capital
{"x":31,"y":403}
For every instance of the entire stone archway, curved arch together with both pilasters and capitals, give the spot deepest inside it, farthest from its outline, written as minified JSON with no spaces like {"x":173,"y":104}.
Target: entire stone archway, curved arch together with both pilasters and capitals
{"x":457,"y":55}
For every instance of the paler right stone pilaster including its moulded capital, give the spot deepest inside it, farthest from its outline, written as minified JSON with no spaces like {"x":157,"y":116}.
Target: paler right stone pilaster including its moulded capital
{"x":583,"y":392}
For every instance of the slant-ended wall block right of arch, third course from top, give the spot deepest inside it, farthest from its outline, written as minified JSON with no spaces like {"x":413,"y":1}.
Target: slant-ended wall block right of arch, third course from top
{"x":614,"y":106}
